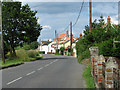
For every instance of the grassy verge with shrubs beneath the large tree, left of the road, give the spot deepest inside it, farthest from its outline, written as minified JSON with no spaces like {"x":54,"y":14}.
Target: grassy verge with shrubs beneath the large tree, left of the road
{"x":22,"y":56}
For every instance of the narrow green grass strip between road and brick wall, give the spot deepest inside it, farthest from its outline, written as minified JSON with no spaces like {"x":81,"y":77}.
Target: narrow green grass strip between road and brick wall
{"x":88,"y":78}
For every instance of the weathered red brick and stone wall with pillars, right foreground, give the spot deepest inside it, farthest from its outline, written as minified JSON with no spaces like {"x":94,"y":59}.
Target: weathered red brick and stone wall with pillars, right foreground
{"x":105,"y":70}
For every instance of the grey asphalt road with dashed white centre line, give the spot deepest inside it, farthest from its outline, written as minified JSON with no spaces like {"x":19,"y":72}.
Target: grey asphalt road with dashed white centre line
{"x":50,"y":72}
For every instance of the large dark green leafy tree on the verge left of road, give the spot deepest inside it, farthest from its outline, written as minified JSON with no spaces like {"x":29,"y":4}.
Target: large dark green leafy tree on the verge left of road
{"x":16,"y":20}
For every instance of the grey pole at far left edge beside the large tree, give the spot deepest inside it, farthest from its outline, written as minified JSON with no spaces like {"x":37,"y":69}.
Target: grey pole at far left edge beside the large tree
{"x":2,"y":45}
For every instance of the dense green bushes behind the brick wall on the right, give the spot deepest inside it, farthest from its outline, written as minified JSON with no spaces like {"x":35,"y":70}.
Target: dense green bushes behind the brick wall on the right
{"x":100,"y":36}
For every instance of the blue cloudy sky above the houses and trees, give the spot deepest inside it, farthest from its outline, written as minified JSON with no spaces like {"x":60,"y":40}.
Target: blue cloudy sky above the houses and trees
{"x":57,"y":15}
